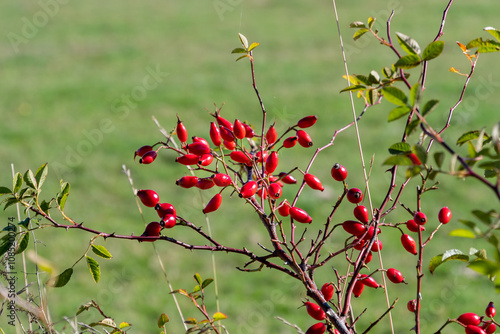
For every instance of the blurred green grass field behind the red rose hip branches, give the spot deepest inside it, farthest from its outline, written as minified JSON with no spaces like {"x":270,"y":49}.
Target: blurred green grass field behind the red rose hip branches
{"x":81,"y":82}
